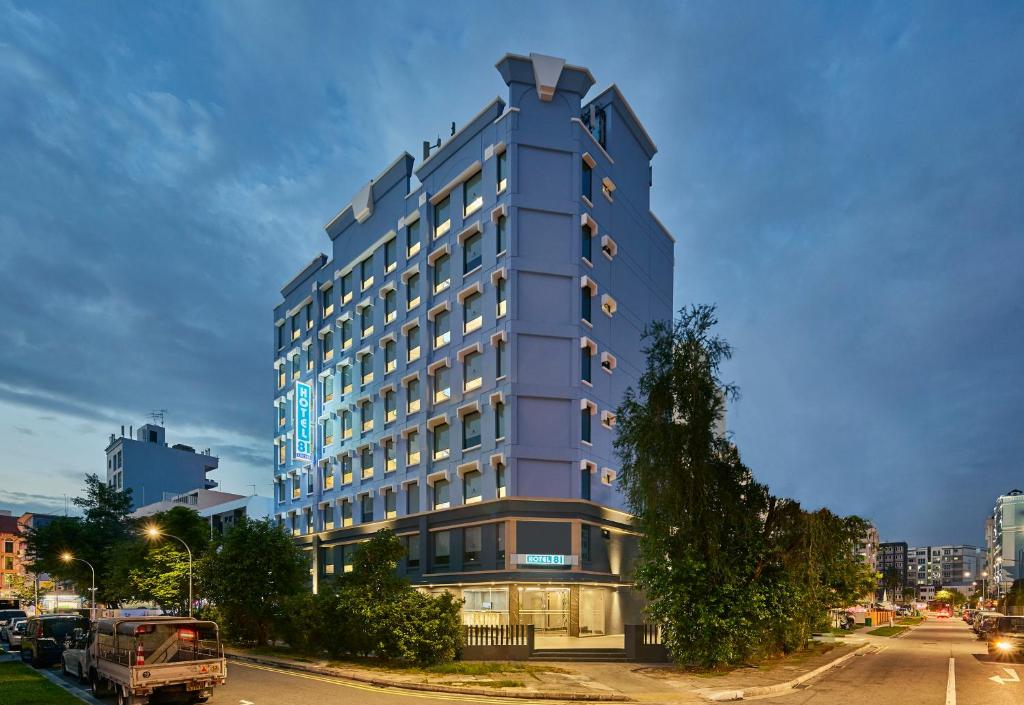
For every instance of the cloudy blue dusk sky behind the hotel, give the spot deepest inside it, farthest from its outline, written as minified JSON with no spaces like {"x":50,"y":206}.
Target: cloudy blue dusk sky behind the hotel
{"x":844,"y":181}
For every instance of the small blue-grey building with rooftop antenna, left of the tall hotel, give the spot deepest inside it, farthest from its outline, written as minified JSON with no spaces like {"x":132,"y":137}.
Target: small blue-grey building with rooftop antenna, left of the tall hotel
{"x":154,"y":471}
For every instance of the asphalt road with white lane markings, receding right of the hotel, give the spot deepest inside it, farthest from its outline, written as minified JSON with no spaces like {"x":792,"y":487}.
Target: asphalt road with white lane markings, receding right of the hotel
{"x":941,"y":662}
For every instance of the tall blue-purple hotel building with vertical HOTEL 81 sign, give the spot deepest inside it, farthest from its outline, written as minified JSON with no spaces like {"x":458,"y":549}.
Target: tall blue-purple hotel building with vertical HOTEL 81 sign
{"x":452,"y":370}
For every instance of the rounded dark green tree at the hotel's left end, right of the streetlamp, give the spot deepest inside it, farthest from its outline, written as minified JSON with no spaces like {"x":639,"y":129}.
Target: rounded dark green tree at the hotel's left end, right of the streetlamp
{"x":249,"y":574}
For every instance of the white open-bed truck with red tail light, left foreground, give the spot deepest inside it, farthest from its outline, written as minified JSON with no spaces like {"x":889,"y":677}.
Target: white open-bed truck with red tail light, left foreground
{"x":170,"y":659}
